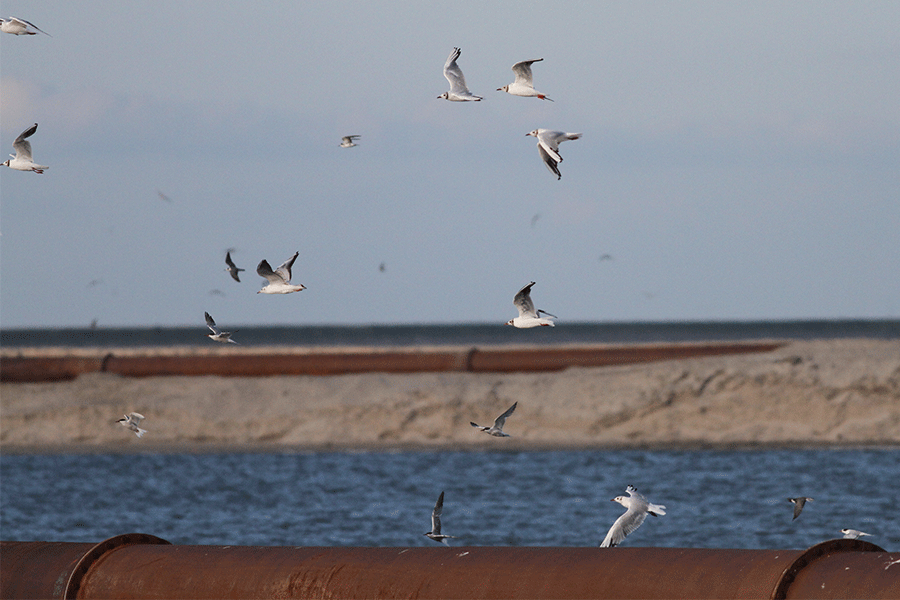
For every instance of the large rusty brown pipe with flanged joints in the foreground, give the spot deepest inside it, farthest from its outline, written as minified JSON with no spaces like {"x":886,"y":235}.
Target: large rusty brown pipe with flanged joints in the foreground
{"x":126,"y":567}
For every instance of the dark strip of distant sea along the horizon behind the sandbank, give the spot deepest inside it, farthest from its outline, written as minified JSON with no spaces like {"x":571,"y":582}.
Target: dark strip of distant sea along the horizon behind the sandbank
{"x":471,"y":334}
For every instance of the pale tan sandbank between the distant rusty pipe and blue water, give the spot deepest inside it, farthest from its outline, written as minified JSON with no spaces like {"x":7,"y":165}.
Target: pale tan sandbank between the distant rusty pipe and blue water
{"x":830,"y":392}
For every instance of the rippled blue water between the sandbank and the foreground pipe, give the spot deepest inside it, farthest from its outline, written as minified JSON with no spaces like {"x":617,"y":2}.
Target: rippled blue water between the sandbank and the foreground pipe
{"x":725,"y":499}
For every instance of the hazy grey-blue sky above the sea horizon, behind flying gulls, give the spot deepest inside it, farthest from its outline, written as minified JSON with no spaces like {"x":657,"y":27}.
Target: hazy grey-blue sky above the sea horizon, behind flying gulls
{"x":739,"y":161}
